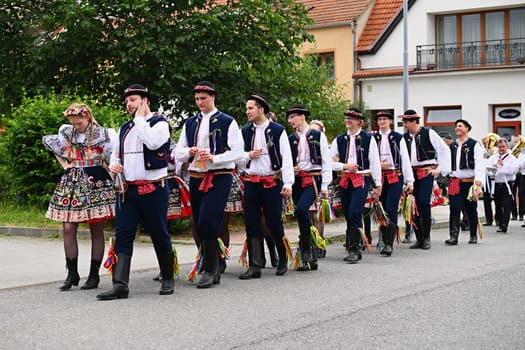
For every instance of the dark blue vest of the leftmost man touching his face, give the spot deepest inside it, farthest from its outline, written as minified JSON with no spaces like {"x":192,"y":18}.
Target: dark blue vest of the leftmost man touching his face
{"x":153,"y":159}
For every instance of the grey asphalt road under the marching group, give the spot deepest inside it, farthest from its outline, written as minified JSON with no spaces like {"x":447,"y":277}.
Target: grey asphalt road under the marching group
{"x":462,"y":297}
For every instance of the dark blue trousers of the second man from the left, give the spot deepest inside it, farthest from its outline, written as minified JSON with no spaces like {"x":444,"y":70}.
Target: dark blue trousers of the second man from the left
{"x":208,"y":207}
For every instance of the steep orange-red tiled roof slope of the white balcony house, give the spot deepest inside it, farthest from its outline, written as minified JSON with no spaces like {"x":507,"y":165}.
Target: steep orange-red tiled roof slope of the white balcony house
{"x":381,"y":15}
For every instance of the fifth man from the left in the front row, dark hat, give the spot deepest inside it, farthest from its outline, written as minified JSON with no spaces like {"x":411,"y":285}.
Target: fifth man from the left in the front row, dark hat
{"x":356,"y":156}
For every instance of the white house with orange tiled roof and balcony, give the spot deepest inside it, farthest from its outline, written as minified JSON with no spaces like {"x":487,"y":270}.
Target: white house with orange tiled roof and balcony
{"x":466,"y":60}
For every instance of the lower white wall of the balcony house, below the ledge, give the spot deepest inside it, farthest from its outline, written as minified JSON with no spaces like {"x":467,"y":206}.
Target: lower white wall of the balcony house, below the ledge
{"x":475,"y":91}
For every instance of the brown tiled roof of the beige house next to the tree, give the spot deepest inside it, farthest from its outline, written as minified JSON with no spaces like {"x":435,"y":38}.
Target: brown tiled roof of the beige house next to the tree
{"x":334,"y":11}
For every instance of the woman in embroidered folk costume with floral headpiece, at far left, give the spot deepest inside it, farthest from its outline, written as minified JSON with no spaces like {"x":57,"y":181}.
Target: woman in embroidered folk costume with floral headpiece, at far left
{"x":85,"y":191}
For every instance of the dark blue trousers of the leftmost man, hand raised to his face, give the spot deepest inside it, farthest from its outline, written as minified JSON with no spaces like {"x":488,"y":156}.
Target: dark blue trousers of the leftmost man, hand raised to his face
{"x":152,"y":209}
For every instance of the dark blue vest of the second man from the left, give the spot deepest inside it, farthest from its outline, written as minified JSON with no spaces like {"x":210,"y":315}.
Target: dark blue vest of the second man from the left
{"x":219,"y":125}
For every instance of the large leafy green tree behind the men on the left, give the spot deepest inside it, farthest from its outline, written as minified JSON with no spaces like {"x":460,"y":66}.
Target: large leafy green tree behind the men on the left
{"x":98,"y":47}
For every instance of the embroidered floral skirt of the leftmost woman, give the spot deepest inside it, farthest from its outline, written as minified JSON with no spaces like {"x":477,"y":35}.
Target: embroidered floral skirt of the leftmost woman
{"x":83,"y":194}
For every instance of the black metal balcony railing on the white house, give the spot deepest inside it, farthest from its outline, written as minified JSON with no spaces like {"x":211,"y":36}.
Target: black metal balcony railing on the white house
{"x":471,"y":54}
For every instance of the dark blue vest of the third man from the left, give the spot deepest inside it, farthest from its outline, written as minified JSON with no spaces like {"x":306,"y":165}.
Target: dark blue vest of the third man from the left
{"x":272,"y":135}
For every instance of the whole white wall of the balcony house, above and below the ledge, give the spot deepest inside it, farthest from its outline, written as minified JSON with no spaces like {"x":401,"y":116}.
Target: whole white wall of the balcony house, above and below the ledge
{"x":476,"y":90}
